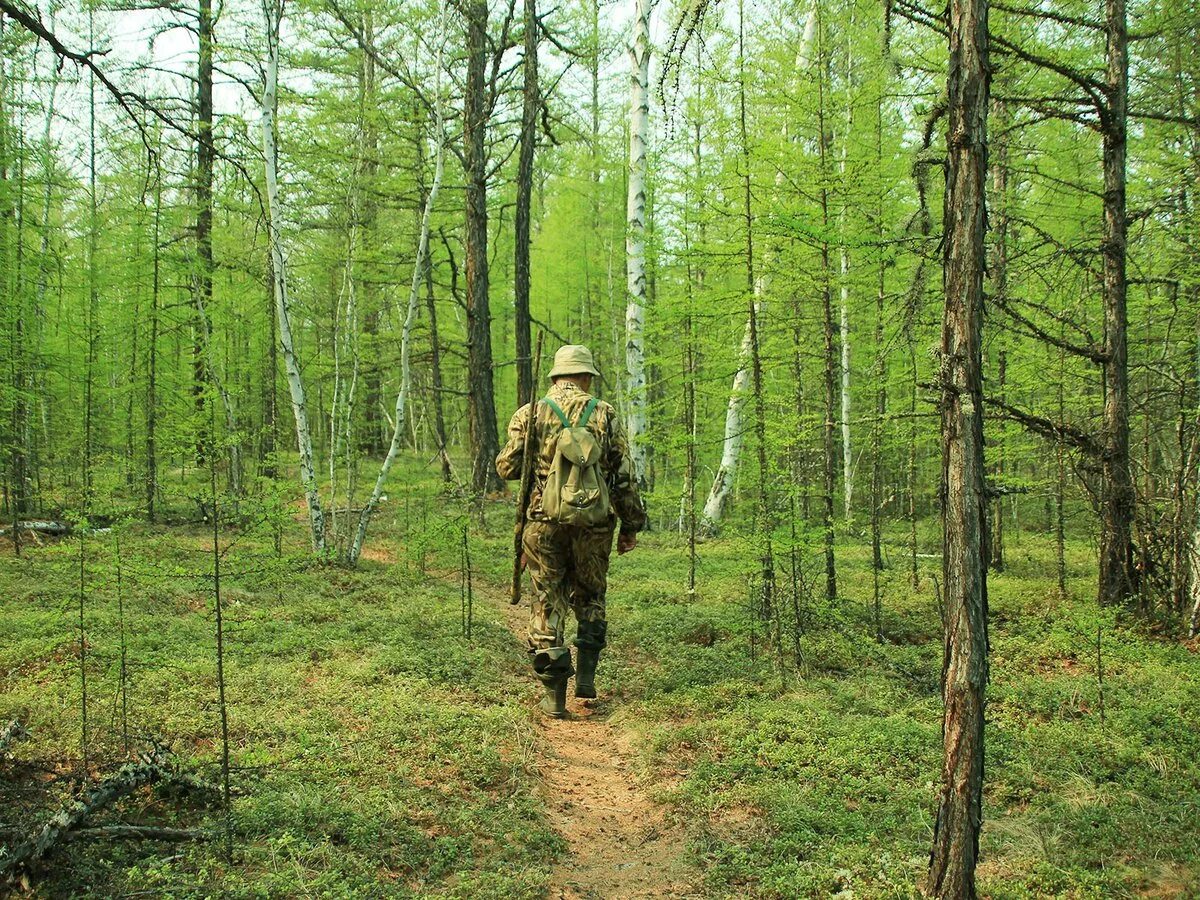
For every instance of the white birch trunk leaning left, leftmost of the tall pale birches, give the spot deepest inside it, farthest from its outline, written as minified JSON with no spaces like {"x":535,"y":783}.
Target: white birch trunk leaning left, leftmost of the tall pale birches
{"x":273,"y":11}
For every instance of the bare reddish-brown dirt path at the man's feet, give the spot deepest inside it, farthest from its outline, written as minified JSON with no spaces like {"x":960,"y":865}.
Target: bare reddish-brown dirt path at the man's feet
{"x":622,"y":844}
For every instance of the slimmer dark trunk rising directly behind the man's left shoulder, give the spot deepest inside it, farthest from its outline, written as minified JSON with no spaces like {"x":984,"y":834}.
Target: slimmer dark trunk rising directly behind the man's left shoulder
{"x":531,"y":105}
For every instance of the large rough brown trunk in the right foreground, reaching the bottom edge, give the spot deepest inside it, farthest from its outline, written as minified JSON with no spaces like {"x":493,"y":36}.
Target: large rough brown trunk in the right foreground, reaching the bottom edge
{"x":964,"y":499}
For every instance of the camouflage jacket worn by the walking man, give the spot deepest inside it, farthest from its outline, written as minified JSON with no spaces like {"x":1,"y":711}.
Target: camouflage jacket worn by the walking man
{"x":605,"y":424}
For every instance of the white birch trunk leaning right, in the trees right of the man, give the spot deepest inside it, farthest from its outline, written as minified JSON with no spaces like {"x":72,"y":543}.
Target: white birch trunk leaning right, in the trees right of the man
{"x":735,"y":428}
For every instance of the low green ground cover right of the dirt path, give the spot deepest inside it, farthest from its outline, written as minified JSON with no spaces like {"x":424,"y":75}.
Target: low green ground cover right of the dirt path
{"x":823,"y":781}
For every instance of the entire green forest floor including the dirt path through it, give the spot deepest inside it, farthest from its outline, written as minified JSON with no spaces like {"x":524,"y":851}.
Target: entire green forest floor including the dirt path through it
{"x":380,"y":752}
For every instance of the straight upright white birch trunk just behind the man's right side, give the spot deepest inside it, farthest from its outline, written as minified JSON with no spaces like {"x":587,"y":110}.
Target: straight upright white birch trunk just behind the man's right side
{"x":635,"y":236}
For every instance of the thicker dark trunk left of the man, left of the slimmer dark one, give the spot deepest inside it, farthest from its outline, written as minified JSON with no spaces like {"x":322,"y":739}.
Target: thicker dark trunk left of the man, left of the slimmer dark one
{"x":481,"y":385}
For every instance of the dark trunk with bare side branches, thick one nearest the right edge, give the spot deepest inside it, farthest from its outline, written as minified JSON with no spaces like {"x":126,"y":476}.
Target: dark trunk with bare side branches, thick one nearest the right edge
{"x":1118,"y":581}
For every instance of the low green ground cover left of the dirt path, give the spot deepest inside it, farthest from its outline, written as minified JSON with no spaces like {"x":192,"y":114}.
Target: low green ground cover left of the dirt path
{"x":376,"y":752}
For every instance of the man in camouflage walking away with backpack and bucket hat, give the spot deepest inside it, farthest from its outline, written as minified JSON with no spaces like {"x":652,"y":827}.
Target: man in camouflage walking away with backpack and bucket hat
{"x":584,"y":483}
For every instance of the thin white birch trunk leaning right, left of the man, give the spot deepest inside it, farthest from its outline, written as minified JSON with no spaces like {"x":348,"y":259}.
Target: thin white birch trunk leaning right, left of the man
{"x":406,"y":335}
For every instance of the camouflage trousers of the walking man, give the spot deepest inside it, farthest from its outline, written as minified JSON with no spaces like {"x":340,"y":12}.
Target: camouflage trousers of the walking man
{"x":569,"y":571}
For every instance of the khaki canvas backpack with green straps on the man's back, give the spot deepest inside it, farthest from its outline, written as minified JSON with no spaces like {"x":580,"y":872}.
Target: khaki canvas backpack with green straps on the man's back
{"x":577,"y":493}
